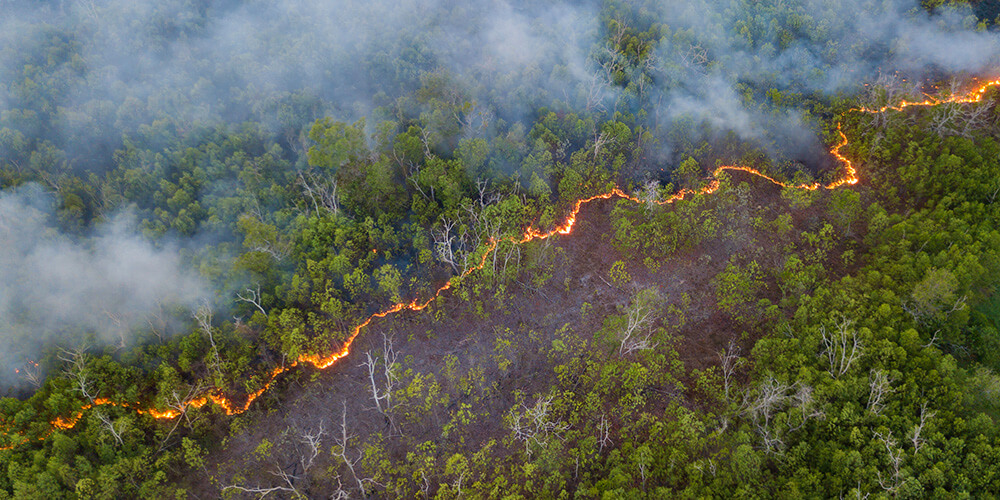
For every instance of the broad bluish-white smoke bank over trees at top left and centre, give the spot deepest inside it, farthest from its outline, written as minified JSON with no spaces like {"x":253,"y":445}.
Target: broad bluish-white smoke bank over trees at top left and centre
{"x":284,"y":63}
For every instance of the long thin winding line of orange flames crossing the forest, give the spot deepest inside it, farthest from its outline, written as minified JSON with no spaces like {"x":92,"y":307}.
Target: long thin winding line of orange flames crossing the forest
{"x":530,"y":234}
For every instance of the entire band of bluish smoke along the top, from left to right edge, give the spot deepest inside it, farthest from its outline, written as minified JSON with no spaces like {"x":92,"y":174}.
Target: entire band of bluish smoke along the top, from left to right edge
{"x":285,"y":63}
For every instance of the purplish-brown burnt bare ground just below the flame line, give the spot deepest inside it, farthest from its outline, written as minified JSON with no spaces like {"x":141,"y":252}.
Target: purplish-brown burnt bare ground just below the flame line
{"x":307,"y":399}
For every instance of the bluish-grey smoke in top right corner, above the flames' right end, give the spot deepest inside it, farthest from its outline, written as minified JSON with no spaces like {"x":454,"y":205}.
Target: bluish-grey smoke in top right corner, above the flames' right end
{"x":717,"y":58}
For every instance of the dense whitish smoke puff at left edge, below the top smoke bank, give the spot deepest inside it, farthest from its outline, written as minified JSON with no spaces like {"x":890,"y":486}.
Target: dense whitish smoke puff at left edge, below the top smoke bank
{"x":68,"y":291}
